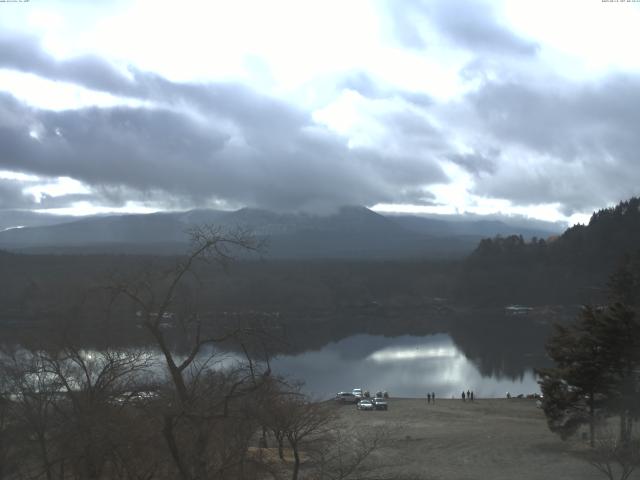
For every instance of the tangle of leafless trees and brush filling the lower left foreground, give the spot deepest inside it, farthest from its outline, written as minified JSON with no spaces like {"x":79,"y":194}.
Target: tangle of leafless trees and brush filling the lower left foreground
{"x":197,"y":404}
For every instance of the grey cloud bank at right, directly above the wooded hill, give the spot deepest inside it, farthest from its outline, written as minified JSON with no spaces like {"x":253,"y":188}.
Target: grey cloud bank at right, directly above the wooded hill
{"x":584,"y":138}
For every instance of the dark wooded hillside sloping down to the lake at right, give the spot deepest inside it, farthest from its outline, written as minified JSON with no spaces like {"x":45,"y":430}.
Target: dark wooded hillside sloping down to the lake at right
{"x":572,"y":268}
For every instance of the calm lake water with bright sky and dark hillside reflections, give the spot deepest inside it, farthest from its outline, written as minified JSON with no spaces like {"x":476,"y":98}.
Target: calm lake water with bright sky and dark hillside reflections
{"x":490,"y":355}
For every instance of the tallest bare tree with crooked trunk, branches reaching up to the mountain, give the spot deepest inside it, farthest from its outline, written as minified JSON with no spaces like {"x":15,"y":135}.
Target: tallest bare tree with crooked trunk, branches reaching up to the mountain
{"x":203,"y":403}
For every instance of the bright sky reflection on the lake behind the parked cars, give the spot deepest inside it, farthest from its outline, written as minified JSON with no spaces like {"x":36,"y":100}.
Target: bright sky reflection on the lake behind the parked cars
{"x":405,"y":366}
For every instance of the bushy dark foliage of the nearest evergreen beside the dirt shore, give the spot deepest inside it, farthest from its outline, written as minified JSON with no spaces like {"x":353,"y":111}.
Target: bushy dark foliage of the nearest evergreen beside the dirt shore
{"x":597,"y":372}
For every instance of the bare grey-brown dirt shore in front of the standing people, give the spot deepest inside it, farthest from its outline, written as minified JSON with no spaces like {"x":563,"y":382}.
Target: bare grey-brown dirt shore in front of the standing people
{"x":488,"y":439}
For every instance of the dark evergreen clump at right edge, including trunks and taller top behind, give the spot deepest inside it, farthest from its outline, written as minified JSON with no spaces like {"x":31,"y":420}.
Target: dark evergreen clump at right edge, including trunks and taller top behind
{"x":596,"y":380}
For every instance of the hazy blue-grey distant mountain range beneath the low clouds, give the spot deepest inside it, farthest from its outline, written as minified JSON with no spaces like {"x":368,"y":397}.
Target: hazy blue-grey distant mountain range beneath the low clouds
{"x":351,"y":232}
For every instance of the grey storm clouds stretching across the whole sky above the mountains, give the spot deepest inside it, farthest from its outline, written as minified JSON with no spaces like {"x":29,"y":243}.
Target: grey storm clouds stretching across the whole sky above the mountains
{"x":532,"y":143}
